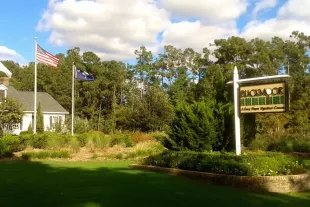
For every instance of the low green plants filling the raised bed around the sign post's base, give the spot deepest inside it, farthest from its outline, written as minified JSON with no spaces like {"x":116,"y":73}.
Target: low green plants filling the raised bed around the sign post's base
{"x":251,"y":164}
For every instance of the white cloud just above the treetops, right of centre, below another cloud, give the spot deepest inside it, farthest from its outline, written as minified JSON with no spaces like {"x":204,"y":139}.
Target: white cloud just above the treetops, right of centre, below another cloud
{"x":194,"y":35}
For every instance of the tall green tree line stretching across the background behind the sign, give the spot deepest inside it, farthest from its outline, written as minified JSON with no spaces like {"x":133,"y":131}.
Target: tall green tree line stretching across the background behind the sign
{"x":168,"y":91}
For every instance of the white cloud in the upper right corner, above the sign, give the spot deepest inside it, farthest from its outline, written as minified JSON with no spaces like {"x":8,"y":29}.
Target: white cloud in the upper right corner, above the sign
{"x":292,"y":16}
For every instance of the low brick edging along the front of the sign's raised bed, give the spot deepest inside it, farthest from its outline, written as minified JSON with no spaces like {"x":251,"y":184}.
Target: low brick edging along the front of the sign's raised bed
{"x":280,"y":184}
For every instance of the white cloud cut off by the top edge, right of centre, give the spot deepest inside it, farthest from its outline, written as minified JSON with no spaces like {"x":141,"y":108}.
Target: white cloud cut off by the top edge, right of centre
{"x":206,"y":10}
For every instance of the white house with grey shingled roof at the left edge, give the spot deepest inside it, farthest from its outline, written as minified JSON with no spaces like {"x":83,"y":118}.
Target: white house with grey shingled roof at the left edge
{"x":52,"y":111}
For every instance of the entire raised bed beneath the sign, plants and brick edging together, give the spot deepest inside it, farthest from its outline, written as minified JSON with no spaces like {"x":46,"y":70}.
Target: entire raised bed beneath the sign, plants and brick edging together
{"x":255,"y":171}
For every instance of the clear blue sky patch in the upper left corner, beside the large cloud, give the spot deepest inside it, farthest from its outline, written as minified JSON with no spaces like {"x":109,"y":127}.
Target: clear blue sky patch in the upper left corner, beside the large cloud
{"x":18,"y":20}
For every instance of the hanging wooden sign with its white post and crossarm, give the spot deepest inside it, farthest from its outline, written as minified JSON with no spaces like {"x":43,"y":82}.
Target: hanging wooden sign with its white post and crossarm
{"x":272,"y":97}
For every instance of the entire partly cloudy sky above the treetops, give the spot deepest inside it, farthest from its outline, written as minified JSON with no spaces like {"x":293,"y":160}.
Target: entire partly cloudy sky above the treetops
{"x":113,"y":29}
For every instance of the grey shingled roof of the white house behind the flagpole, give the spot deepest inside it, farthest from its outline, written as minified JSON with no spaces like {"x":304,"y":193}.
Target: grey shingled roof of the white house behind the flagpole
{"x":26,"y":98}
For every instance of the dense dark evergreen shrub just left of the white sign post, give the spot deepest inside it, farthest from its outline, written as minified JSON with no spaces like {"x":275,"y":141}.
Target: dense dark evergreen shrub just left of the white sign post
{"x":193,"y":128}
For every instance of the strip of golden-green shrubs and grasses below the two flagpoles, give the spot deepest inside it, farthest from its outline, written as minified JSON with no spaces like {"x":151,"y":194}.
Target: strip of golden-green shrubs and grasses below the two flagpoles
{"x":141,"y":145}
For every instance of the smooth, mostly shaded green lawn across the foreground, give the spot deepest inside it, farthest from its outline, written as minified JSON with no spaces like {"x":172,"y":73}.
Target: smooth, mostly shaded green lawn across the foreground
{"x":114,"y":184}
